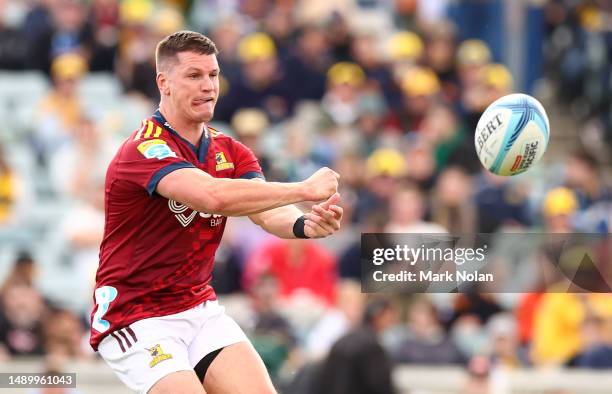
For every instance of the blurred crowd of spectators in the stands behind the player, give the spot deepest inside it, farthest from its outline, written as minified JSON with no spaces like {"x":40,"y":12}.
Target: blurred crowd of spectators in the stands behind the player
{"x":387,"y":93}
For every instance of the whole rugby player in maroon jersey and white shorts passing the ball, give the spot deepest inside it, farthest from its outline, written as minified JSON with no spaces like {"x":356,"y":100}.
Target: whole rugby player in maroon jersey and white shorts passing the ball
{"x":169,"y":190}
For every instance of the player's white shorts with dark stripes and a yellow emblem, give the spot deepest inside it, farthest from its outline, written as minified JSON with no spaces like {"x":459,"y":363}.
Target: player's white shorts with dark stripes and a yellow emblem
{"x":152,"y":348}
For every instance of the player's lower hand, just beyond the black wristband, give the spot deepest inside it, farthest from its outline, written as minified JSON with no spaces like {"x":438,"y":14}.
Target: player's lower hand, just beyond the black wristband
{"x":324,"y":218}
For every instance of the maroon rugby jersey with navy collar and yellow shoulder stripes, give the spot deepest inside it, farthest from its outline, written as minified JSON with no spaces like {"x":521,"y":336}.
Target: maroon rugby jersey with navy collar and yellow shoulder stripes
{"x":157,"y":255}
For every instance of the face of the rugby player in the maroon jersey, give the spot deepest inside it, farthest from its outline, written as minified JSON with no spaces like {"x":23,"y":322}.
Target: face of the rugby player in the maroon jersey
{"x":194,"y":86}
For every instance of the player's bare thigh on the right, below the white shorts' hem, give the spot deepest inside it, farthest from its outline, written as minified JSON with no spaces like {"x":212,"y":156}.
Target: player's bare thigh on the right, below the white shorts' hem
{"x":238,"y":369}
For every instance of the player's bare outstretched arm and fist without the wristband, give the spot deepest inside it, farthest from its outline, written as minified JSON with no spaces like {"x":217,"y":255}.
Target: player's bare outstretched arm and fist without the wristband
{"x":240,"y":197}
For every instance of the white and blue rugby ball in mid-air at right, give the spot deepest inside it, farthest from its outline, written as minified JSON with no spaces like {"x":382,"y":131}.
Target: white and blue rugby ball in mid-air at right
{"x":512,"y":134}
